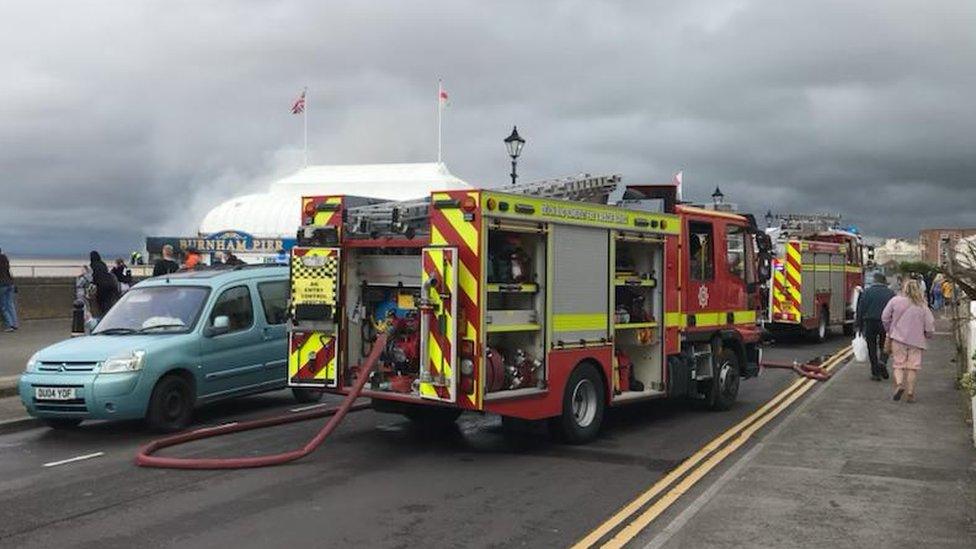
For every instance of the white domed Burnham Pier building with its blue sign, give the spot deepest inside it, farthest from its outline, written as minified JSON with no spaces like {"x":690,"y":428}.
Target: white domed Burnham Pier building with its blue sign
{"x":261,"y":227}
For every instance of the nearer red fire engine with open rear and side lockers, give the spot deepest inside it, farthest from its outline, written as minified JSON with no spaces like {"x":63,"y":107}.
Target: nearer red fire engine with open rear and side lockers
{"x":537,"y":301}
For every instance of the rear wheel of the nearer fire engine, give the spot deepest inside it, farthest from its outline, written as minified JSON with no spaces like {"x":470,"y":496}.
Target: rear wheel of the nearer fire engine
{"x":584,"y":403}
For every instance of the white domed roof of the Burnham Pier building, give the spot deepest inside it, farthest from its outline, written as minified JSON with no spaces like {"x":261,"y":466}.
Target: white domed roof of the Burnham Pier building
{"x":276,"y":213}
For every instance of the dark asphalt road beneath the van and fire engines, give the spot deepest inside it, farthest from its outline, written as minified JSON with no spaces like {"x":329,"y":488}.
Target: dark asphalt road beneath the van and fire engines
{"x":377,"y":482}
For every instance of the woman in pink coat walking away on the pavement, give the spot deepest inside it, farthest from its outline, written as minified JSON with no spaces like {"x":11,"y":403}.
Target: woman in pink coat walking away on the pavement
{"x":908,"y":323}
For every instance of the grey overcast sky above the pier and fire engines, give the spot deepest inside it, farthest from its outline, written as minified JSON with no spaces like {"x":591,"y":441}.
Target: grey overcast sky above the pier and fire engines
{"x":124,"y":119}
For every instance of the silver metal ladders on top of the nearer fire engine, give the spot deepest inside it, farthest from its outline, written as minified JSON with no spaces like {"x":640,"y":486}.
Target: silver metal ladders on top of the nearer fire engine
{"x":408,"y":216}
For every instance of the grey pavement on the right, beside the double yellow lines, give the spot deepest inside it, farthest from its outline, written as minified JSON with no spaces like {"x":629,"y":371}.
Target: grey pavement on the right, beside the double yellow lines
{"x":849,"y":468}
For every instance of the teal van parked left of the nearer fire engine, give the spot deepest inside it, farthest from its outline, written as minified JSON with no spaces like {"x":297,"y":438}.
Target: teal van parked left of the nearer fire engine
{"x":171,"y":343}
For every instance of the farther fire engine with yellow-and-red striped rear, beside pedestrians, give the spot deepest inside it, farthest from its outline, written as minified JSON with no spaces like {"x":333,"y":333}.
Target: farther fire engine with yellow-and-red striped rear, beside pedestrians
{"x":817,"y":272}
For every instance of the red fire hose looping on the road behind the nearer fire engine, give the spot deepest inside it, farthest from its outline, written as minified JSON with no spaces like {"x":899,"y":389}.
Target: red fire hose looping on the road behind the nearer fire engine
{"x":145,"y":458}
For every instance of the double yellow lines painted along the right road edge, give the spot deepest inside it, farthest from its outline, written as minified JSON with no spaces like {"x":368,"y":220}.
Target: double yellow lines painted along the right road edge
{"x":691,"y":470}
